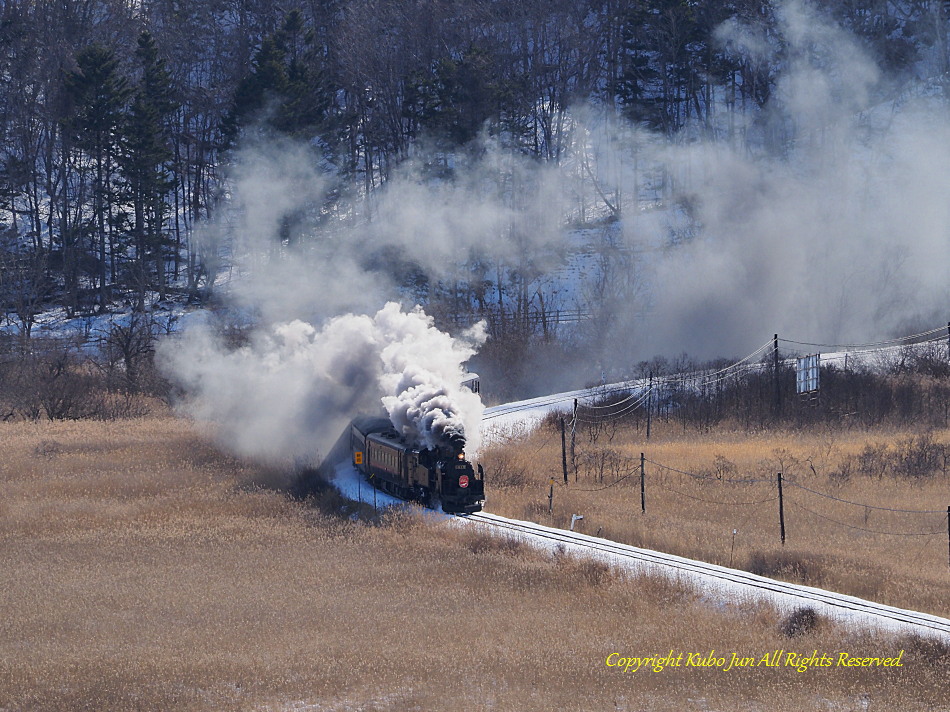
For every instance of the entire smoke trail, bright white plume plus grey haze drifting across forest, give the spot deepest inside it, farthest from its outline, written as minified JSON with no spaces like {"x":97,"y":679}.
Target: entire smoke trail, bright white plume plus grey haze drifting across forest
{"x":822,"y":216}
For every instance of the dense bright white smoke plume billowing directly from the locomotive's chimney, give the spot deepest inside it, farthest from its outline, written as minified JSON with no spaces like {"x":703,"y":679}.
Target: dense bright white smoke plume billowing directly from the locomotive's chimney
{"x":289,"y":393}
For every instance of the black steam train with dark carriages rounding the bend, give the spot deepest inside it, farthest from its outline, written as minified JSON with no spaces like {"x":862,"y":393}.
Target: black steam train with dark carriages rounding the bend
{"x":429,"y":477}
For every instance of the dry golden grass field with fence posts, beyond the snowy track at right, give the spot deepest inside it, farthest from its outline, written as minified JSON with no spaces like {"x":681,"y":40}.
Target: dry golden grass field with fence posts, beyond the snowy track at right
{"x":882,"y":555}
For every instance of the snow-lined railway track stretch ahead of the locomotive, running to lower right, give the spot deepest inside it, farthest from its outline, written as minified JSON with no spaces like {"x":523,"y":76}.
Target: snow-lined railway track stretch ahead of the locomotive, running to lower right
{"x":719,"y":581}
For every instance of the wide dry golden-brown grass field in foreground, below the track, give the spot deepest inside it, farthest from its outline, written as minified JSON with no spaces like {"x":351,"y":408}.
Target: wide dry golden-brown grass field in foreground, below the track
{"x":141,"y":569}
